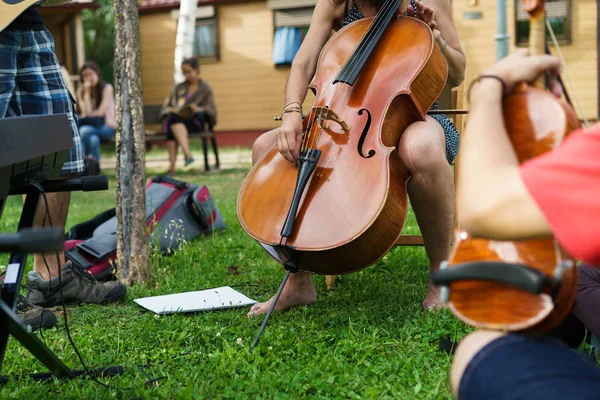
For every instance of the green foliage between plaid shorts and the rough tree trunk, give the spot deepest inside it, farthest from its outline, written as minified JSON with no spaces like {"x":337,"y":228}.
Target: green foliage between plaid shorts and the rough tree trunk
{"x":99,"y":34}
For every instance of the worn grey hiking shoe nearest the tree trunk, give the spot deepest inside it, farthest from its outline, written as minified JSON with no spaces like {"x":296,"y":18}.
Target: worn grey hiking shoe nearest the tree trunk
{"x":77,"y":286}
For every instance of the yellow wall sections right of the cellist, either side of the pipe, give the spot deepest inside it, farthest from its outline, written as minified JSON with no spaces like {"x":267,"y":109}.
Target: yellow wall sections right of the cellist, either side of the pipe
{"x":581,"y":54}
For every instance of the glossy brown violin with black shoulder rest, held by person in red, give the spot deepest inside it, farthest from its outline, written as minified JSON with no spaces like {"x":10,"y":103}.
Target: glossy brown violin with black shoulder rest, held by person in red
{"x":527,"y":285}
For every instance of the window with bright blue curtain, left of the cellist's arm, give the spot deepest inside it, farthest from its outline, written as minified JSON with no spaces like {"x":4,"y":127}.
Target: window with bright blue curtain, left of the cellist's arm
{"x":291,"y":26}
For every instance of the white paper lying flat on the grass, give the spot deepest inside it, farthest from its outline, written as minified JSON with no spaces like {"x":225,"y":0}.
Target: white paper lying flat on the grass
{"x":203,"y":300}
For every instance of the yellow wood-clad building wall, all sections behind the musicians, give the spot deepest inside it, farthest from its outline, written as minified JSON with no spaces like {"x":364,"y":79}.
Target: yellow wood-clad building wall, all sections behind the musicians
{"x":248,"y":89}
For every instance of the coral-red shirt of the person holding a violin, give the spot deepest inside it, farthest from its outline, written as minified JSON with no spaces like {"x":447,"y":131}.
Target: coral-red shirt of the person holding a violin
{"x":565,"y":184}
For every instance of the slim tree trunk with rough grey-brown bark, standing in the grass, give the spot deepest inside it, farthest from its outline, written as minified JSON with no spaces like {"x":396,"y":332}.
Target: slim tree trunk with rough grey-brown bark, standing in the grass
{"x":132,"y":242}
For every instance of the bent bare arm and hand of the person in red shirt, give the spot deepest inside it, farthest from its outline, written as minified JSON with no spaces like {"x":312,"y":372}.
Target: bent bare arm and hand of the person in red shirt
{"x":492,"y":200}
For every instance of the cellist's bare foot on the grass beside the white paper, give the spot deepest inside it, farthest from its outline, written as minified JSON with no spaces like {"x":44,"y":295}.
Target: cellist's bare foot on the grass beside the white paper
{"x":298,"y":291}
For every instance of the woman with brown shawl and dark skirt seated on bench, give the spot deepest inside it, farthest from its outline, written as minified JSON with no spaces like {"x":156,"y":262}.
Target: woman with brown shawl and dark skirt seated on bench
{"x":189,"y":105}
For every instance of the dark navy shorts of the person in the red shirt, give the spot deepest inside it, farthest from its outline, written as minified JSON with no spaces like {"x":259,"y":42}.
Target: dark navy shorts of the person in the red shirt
{"x":521,"y":367}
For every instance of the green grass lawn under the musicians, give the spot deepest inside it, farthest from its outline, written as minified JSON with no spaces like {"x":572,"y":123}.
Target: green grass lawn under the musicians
{"x":367,"y":338}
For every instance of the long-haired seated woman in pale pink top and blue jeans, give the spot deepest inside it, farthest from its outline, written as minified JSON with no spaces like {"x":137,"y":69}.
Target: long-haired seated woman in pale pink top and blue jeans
{"x":96,"y":101}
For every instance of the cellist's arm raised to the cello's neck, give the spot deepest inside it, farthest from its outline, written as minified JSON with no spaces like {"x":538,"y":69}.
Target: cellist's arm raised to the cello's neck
{"x":446,"y":37}
